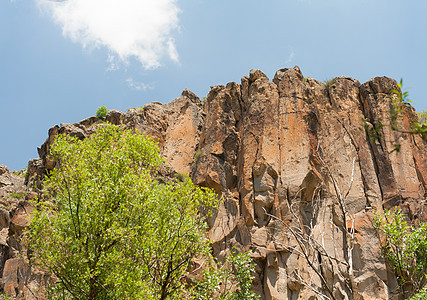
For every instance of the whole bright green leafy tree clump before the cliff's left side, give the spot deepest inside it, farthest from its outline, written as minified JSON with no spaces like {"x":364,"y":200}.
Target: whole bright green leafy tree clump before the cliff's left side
{"x":108,"y":228}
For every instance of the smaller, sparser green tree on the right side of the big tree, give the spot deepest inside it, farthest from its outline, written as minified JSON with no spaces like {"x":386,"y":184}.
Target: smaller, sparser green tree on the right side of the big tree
{"x":176,"y":234}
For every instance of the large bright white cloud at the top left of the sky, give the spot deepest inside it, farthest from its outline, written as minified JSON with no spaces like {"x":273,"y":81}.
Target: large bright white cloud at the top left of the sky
{"x":128,"y":28}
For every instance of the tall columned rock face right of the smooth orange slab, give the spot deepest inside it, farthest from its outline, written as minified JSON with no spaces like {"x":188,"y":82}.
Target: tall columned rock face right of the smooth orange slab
{"x":274,"y":149}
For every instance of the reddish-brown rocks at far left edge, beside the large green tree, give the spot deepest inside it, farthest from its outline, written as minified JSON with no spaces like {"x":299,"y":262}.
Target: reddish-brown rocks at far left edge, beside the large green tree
{"x":18,"y":279}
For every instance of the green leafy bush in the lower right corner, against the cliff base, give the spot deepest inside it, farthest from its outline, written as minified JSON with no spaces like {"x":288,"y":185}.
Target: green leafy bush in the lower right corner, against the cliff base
{"x":405,"y":248}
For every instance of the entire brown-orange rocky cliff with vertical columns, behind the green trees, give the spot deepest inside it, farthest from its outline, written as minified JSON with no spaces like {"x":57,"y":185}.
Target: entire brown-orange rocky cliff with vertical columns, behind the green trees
{"x":299,"y":177}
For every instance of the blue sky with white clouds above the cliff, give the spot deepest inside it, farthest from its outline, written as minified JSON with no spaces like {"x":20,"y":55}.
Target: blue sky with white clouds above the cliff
{"x":60,"y":61}
